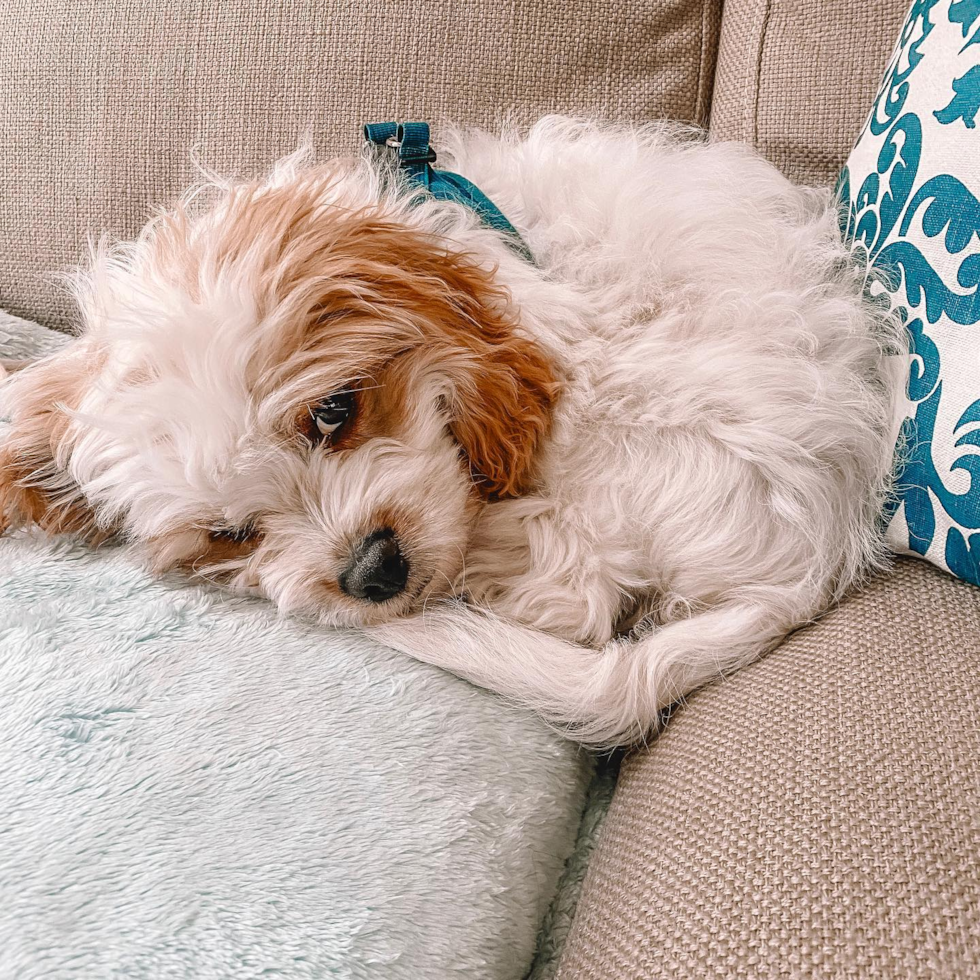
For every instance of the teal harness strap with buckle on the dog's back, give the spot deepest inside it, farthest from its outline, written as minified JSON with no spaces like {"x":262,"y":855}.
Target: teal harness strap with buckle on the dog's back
{"x":415,"y":159}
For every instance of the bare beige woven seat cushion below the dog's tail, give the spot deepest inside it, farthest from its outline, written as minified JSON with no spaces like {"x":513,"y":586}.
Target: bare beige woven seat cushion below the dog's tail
{"x":815,"y":816}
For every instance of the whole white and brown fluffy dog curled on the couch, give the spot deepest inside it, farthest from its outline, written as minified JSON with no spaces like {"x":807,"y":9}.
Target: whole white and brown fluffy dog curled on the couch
{"x":591,"y":482}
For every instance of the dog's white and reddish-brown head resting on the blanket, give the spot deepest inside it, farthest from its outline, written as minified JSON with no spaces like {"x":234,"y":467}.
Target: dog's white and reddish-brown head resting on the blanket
{"x":293,"y":389}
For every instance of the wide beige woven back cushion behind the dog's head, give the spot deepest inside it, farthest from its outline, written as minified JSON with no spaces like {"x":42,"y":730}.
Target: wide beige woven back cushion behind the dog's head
{"x":100,"y":103}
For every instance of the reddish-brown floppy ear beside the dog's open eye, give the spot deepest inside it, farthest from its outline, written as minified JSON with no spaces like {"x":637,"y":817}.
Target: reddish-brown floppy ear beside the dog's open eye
{"x":451,"y":309}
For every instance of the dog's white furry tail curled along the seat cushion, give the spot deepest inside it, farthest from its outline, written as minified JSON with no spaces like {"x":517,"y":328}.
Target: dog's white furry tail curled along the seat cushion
{"x":604,"y":698}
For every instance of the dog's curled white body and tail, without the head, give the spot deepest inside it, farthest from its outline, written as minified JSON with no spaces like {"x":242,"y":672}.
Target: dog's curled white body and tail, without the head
{"x":723,"y":453}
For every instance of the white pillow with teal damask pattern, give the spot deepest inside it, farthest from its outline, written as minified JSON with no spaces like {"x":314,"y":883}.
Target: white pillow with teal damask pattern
{"x":911,"y":204}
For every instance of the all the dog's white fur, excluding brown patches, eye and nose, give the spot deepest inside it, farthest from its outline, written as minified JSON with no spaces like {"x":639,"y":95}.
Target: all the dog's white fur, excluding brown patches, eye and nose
{"x":714,"y":465}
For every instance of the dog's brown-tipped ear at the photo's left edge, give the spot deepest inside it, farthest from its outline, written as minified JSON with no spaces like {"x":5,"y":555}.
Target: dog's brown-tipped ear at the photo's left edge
{"x":34,"y":486}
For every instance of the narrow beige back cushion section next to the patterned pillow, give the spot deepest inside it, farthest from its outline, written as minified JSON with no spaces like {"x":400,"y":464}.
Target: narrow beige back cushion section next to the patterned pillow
{"x":797,"y":79}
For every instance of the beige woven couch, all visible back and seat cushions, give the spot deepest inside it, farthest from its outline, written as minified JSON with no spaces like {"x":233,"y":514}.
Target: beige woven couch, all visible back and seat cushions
{"x":816,"y":815}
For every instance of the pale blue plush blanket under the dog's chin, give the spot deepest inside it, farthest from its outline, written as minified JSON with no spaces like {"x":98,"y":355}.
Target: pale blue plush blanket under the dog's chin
{"x":195,"y":788}
